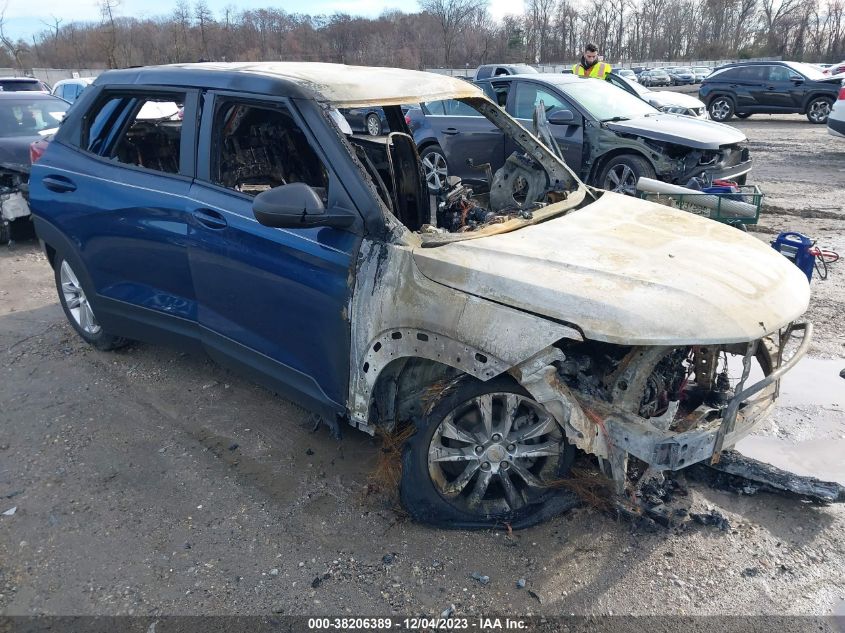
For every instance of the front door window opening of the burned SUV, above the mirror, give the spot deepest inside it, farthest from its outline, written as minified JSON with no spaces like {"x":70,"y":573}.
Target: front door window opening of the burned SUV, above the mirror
{"x":257,"y":148}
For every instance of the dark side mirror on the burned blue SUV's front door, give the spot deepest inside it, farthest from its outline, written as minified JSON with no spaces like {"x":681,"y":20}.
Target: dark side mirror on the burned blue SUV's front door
{"x":297,"y":205}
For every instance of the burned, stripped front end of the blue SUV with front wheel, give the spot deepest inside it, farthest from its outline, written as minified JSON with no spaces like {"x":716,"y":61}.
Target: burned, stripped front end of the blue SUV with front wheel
{"x":515,"y":325}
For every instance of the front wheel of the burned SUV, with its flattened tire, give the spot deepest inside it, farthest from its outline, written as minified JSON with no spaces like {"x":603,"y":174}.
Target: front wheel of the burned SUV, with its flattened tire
{"x":447,"y":476}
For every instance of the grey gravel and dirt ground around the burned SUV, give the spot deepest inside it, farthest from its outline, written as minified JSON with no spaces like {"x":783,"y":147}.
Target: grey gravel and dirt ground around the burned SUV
{"x":149,"y":482}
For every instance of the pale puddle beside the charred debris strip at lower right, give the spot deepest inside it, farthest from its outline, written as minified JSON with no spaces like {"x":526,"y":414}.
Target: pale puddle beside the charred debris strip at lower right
{"x":821,"y":458}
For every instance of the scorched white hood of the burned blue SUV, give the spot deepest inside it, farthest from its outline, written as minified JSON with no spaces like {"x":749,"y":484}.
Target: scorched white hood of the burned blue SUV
{"x":631,"y":272}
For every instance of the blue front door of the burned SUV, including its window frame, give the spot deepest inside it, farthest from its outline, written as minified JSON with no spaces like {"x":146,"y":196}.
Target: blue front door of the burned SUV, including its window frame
{"x":270,"y":301}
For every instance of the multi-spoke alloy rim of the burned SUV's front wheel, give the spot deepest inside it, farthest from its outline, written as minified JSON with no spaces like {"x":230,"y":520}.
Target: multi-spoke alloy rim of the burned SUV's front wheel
{"x":495,"y":453}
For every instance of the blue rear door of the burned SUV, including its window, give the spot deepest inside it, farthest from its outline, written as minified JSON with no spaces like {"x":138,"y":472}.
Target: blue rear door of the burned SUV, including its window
{"x":121,"y":198}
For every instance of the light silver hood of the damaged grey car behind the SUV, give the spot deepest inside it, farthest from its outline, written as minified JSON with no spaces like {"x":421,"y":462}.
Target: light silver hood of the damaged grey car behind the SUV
{"x":682,"y":130}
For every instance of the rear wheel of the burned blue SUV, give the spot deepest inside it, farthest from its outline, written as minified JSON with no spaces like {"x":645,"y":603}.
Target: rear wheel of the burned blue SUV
{"x":77,"y":307}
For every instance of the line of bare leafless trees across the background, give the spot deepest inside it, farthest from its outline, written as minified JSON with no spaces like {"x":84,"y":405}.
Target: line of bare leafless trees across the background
{"x":443,"y":33}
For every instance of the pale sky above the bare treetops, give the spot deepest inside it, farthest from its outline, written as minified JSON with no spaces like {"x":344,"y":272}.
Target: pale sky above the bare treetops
{"x":24,"y":18}
